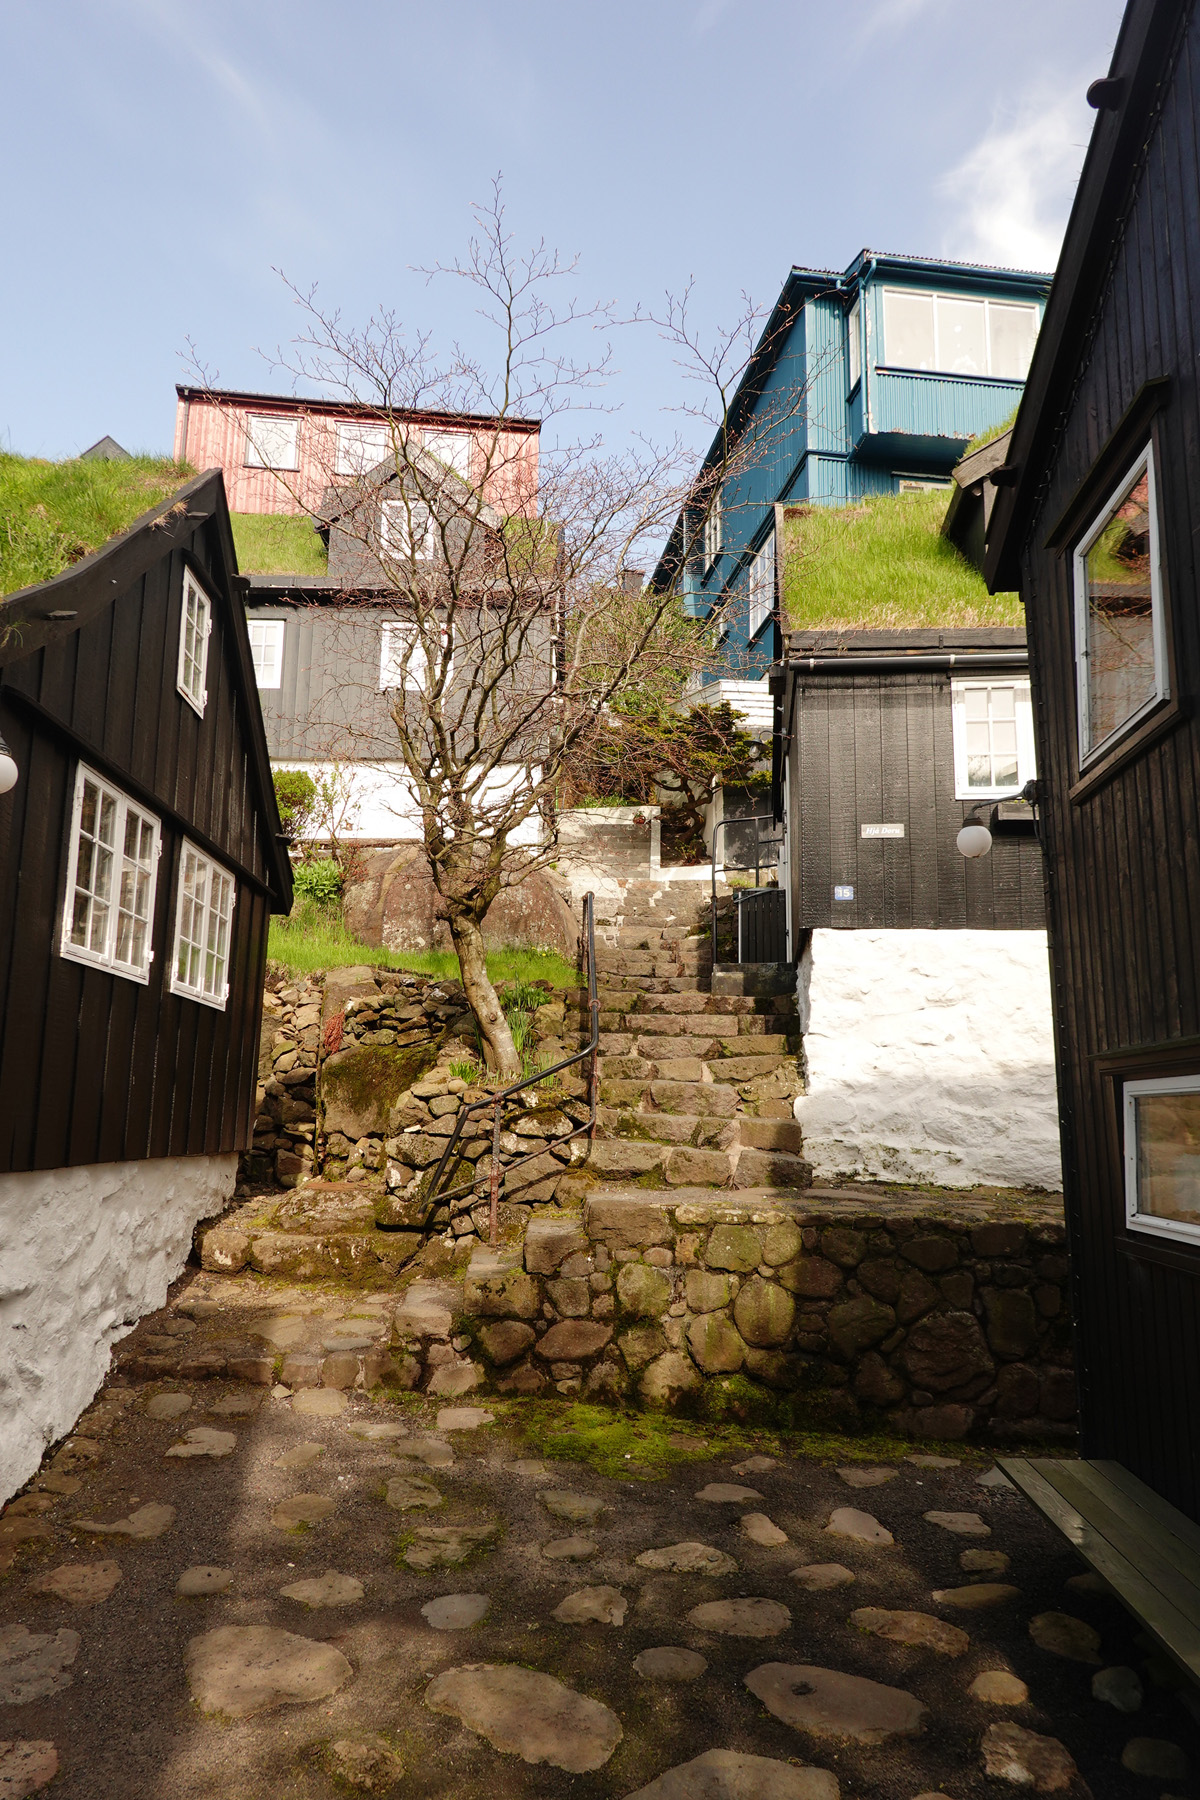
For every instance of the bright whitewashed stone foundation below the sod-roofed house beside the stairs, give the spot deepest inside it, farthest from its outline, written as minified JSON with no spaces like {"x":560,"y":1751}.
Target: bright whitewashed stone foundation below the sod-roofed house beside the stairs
{"x":929,"y":1057}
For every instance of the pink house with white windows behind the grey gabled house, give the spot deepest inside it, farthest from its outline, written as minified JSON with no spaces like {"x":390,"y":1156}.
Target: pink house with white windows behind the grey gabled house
{"x":280,"y":454}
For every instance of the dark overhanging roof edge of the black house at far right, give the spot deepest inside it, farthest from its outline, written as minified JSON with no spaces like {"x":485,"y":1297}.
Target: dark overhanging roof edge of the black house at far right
{"x":1097,"y":222}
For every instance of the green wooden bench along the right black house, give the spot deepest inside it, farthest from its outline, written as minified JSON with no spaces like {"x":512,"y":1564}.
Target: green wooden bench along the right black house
{"x":1143,"y":1547}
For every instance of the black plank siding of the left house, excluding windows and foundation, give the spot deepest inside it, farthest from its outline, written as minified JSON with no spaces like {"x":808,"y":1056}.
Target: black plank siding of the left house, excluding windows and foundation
{"x":98,"y":1068}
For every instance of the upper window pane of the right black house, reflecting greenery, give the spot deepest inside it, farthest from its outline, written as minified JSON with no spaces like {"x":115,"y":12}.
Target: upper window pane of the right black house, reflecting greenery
{"x":1120,"y":645}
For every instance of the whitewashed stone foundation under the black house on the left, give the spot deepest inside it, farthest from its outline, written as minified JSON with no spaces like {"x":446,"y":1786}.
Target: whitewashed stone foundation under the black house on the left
{"x":84,"y":1255}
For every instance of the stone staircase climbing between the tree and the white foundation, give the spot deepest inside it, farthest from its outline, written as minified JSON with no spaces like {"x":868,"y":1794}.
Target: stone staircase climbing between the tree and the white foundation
{"x":697,"y":1072}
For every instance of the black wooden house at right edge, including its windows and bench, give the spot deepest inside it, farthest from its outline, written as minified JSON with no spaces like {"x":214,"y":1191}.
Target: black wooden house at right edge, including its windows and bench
{"x":1098,"y":523}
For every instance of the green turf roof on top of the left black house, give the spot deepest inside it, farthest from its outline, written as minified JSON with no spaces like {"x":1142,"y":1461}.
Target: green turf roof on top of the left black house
{"x":53,"y":514}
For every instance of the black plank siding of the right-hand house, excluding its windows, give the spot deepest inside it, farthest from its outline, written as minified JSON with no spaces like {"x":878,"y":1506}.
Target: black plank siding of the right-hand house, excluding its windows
{"x":1125,"y":850}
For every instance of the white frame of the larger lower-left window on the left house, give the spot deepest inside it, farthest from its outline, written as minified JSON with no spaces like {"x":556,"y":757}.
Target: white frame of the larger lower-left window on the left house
{"x":145,"y":865}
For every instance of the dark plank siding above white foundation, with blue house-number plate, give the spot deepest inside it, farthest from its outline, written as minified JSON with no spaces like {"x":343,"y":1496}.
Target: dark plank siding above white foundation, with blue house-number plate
{"x":879,"y":750}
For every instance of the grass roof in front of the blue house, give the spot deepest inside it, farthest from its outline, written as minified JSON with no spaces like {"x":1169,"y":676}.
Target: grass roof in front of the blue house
{"x":882,"y":564}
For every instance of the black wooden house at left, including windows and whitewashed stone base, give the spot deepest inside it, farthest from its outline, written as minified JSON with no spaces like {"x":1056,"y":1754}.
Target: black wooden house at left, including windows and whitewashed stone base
{"x":139,"y":865}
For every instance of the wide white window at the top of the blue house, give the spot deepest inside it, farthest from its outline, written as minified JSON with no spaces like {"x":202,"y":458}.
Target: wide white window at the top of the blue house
{"x":958,"y":336}
